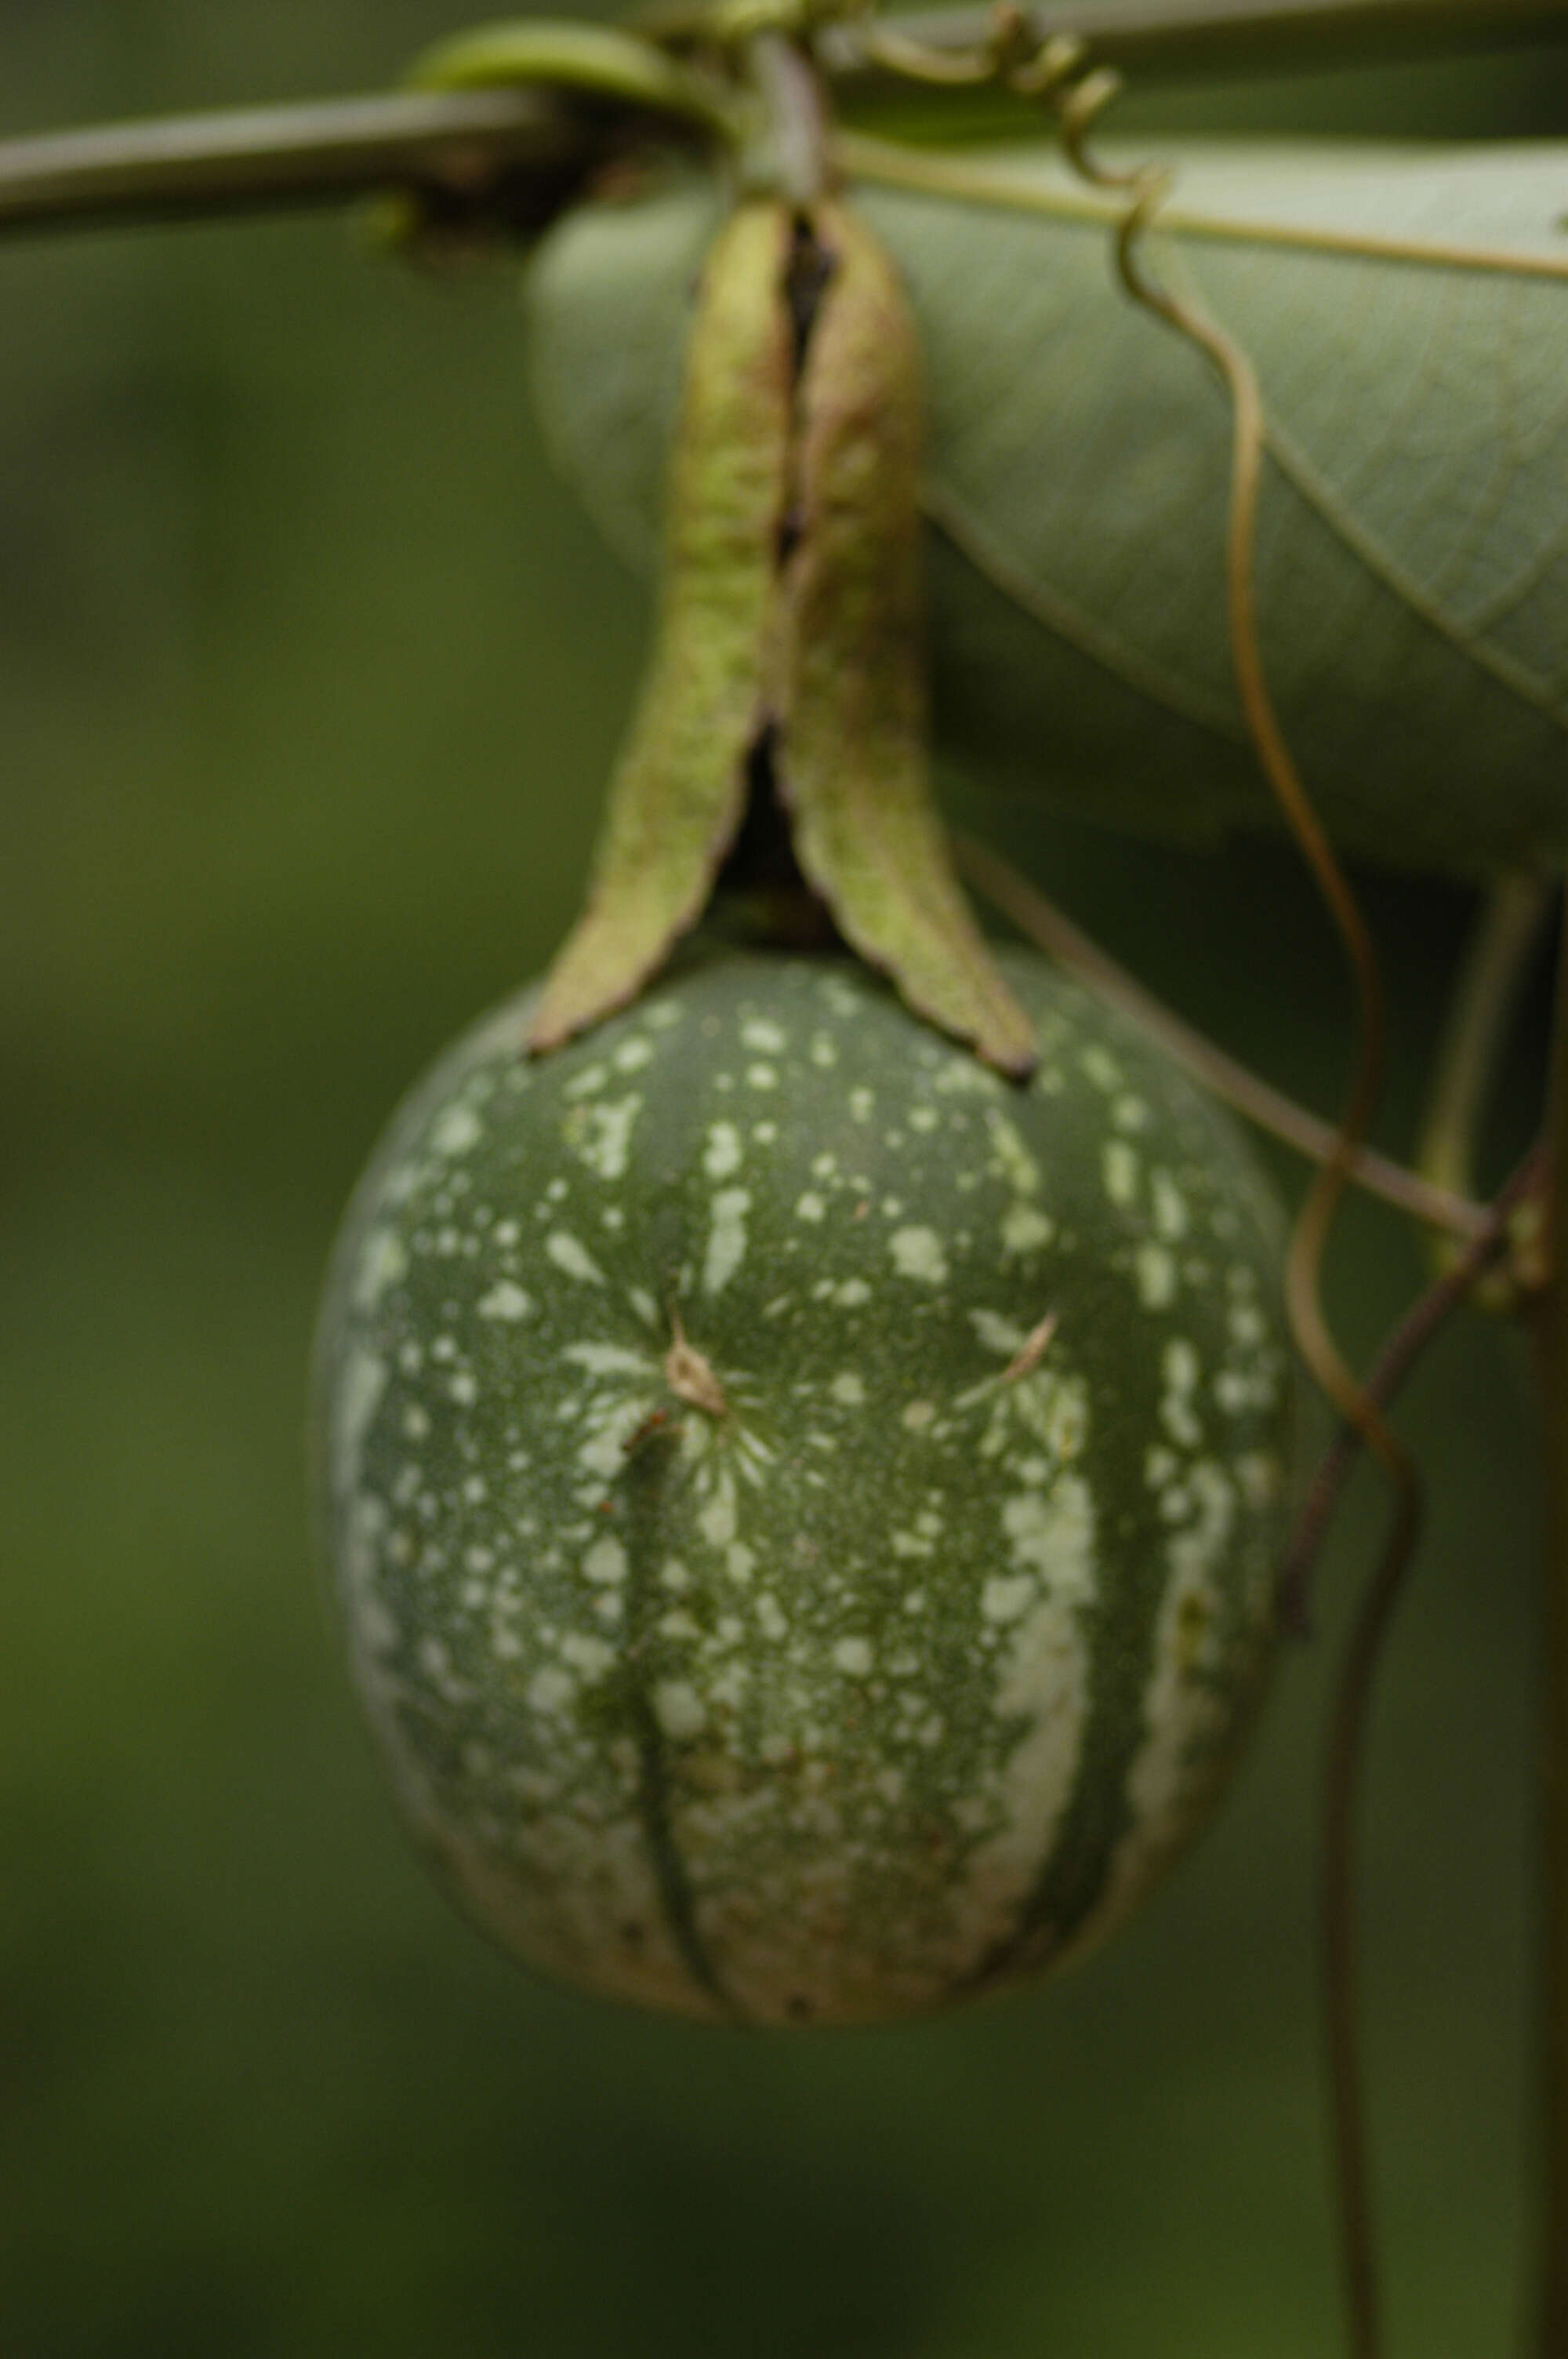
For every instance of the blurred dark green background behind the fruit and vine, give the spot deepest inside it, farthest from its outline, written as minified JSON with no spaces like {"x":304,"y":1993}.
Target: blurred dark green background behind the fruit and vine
{"x":308,"y":685}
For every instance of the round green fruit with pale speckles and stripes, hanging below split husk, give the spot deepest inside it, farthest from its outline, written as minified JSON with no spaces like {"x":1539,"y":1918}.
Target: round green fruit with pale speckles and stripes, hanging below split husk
{"x":805,"y":1509}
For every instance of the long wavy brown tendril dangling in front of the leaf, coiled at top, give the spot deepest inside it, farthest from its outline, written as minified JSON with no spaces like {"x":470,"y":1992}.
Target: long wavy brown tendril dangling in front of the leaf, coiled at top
{"x":1147,"y":192}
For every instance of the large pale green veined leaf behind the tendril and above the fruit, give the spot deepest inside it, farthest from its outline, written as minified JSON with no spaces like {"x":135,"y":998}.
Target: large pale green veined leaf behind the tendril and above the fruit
{"x":1409,"y":315}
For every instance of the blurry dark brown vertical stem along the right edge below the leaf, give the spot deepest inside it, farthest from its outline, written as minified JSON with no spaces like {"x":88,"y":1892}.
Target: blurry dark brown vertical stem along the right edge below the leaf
{"x":1553,"y":1386}
